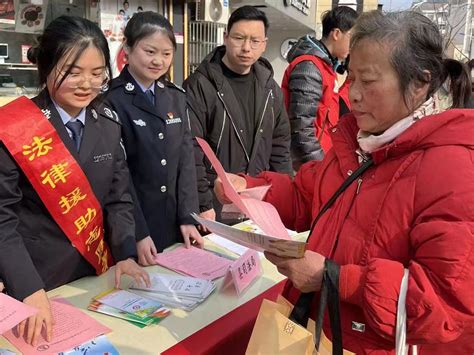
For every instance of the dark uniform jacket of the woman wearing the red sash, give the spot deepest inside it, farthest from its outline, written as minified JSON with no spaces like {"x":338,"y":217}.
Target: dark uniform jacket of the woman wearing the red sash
{"x":34,"y":252}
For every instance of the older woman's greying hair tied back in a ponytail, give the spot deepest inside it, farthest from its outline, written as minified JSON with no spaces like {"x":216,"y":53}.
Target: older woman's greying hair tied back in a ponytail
{"x":416,"y":47}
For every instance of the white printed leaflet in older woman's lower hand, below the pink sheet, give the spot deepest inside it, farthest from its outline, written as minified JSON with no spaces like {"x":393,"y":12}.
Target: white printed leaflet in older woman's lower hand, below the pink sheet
{"x":259,"y":242}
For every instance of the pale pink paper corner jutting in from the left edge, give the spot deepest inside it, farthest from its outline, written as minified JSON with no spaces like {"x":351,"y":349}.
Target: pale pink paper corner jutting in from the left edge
{"x":12,"y":312}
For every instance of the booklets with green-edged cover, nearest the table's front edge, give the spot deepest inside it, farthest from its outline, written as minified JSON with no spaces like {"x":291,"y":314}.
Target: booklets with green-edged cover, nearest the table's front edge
{"x":138,"y":310}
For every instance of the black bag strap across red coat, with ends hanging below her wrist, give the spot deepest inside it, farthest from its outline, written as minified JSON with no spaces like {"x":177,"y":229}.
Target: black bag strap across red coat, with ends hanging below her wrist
{"x":330,"y":285}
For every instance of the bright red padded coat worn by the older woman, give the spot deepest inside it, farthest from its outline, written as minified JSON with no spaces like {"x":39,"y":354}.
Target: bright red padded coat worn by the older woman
{"x":413,"y":209}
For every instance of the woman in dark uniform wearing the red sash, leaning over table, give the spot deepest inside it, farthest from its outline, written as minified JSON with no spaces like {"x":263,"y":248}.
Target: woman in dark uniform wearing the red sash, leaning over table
{"x":41,"y":249}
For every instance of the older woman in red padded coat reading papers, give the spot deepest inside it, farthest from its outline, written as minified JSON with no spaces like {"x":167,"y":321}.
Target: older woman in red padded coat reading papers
{"x":414,"y":208}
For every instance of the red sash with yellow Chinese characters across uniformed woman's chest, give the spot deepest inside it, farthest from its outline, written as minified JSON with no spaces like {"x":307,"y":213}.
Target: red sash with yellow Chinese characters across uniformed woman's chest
{"x":57,"y":178}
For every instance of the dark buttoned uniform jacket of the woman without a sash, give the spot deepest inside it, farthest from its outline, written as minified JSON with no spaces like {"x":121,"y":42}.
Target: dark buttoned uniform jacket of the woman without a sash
{"x":160,"y":156}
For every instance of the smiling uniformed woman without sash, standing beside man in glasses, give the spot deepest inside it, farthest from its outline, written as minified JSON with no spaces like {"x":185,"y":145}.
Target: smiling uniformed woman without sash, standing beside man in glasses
{"x":157,"y":137}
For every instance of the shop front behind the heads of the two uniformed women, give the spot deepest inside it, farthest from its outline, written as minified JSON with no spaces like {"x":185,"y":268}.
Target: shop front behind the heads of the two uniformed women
{"x":21,"y":23}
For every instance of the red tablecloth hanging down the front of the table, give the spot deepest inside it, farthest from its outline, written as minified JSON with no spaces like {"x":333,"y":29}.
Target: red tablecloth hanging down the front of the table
{"x":229,"y":334}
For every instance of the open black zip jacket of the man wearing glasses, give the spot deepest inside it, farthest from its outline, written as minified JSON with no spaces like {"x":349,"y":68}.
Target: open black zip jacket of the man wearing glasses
{"x":217,"y":117}
